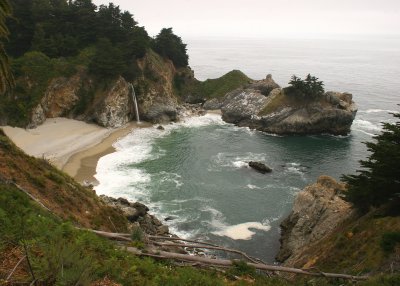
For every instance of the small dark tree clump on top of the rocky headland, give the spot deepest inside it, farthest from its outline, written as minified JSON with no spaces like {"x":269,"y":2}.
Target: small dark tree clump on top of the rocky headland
{"x":309,"y":88}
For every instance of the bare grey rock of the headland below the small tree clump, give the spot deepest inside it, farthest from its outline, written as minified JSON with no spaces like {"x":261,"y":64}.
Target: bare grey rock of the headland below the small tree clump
{"x":264,"y":106}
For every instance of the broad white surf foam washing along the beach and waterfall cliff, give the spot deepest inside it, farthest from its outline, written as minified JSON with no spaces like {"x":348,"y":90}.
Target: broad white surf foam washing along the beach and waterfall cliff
{"x":116,"y":178}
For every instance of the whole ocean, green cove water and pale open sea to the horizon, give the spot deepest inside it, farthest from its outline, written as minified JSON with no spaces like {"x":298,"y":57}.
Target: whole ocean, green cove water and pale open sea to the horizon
{"x":195,"y":172}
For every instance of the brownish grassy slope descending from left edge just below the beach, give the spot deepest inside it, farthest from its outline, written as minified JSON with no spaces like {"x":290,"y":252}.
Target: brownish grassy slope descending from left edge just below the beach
{"x":56,"y":190}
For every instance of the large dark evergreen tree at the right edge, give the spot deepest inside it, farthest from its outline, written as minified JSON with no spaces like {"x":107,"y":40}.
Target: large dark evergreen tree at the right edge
{"x":378,"y":182}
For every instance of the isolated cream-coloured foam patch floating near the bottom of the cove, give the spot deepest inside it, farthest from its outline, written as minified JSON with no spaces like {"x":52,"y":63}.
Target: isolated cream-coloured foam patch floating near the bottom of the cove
{"x":242,"y":231}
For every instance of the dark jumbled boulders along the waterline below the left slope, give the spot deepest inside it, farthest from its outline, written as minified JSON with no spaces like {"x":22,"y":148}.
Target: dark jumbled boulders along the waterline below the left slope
{"x":137,"y":213}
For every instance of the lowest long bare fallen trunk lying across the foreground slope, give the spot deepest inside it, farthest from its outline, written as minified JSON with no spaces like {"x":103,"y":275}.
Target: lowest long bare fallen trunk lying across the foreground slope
{"x":224,"y":262}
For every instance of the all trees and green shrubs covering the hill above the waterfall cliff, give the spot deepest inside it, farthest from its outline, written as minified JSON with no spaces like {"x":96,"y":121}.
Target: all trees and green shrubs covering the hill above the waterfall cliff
{"x":49,"y":39}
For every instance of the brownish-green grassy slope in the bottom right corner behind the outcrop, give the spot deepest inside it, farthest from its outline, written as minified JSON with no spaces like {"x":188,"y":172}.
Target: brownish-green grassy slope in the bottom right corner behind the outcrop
{"x":357,"y":247}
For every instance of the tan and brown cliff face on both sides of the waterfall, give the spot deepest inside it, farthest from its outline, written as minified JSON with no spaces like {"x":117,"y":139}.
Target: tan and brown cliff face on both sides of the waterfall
{"x":82,"y":98}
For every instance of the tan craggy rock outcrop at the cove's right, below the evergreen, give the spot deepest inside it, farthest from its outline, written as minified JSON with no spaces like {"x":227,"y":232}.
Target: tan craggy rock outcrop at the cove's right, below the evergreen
{"x":317,"y":211}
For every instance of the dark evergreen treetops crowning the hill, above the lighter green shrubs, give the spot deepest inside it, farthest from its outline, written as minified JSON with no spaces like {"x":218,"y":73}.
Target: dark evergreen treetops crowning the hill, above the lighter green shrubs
{"x":66,"y":28}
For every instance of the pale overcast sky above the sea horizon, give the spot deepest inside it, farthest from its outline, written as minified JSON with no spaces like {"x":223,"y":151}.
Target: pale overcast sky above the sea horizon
{"x":264,"y":18}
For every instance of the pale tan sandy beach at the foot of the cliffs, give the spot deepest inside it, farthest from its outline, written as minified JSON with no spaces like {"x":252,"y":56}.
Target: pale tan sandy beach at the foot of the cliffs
{"x":71,"y":145}
